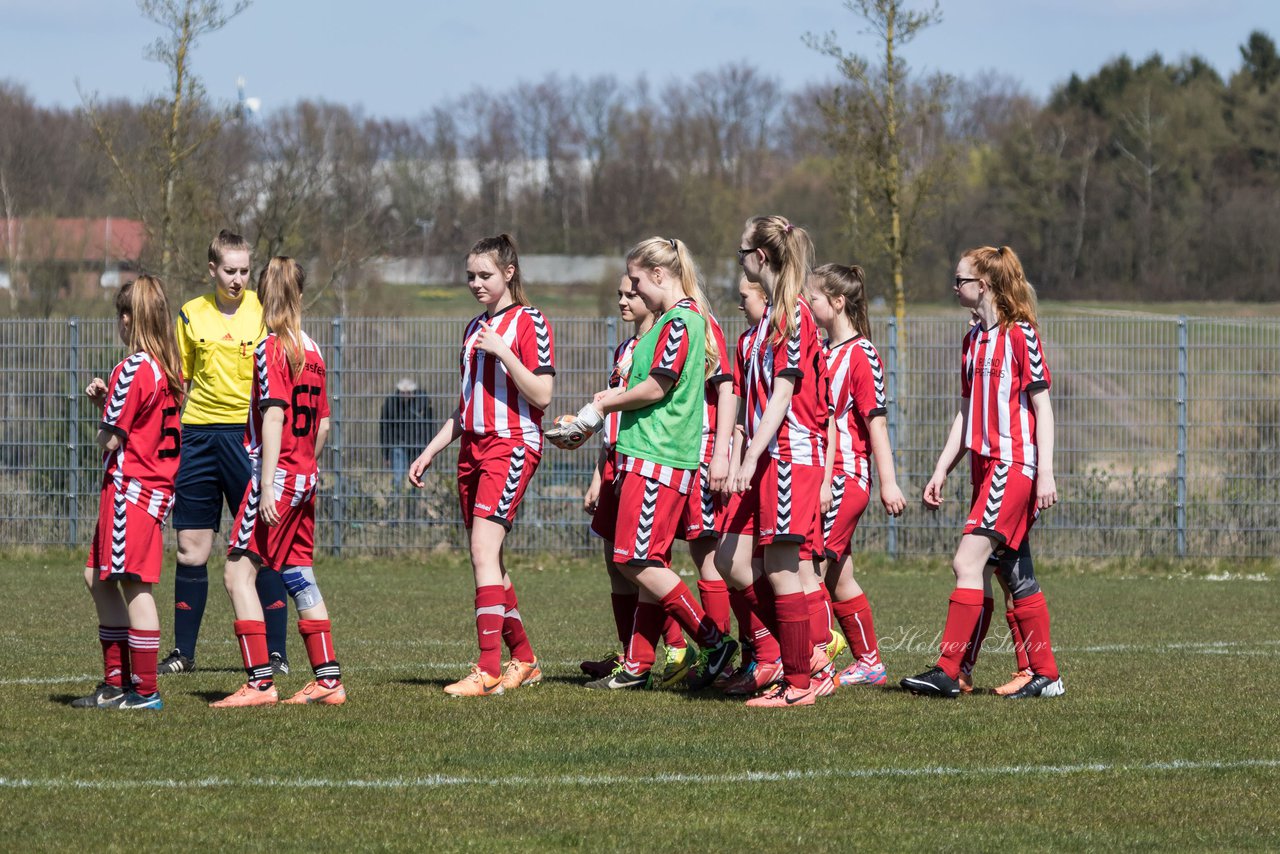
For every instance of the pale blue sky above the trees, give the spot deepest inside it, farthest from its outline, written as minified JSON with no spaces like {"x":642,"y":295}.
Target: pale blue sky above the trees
{"x":397,"y":58}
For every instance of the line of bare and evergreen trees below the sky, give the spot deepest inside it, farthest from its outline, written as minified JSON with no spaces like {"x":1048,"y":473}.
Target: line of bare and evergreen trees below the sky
{"x":1145,"y":180}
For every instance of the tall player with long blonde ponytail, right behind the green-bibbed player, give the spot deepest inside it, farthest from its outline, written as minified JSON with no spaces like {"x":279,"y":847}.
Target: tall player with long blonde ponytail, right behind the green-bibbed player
{"x":788,"y":400}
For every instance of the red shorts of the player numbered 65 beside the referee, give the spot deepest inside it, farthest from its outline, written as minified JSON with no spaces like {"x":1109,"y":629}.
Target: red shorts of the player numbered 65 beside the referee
{"x":291,"y":542}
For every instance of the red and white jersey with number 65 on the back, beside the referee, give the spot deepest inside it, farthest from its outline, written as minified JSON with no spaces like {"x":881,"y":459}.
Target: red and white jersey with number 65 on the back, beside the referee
{"x":305,"y":400}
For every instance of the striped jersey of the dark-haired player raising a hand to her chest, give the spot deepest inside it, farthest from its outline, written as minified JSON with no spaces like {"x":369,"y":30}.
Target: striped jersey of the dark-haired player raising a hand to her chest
{"x":491,"y":403}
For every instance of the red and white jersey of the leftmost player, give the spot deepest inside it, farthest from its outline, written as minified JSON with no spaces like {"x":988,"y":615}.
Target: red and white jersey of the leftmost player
{"x":147,"y":418}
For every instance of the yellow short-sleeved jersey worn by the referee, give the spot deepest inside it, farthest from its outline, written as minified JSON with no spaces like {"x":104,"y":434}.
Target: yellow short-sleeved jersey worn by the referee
{"x":218,"y":358}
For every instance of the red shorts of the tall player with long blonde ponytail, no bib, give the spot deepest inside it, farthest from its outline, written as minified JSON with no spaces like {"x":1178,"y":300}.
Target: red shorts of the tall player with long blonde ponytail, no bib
{"x":787,"y":509}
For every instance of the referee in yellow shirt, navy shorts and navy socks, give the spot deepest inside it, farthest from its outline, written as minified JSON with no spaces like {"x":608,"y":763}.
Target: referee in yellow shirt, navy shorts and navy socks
{"x":217,"y":336}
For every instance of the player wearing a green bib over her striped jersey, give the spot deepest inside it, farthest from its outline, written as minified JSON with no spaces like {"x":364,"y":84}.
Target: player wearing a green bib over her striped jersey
{"x":660,"y":455}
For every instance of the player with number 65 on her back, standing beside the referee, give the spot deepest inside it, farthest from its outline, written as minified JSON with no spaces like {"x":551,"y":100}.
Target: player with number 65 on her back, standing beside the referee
{"x":275,"y":529}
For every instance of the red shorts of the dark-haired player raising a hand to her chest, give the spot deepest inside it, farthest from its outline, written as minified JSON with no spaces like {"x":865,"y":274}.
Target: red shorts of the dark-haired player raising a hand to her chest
{"x":493,"y":476}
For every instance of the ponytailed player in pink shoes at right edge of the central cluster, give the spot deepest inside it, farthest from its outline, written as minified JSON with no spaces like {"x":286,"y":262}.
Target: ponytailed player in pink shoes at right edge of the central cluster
{"x":858,"y":432}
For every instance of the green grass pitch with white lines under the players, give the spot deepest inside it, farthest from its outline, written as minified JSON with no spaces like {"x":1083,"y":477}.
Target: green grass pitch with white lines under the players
{"x":1167,"y":738}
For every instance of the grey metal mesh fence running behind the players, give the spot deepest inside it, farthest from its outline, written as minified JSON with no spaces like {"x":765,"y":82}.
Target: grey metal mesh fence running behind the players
{"x":1168,"y":436}
